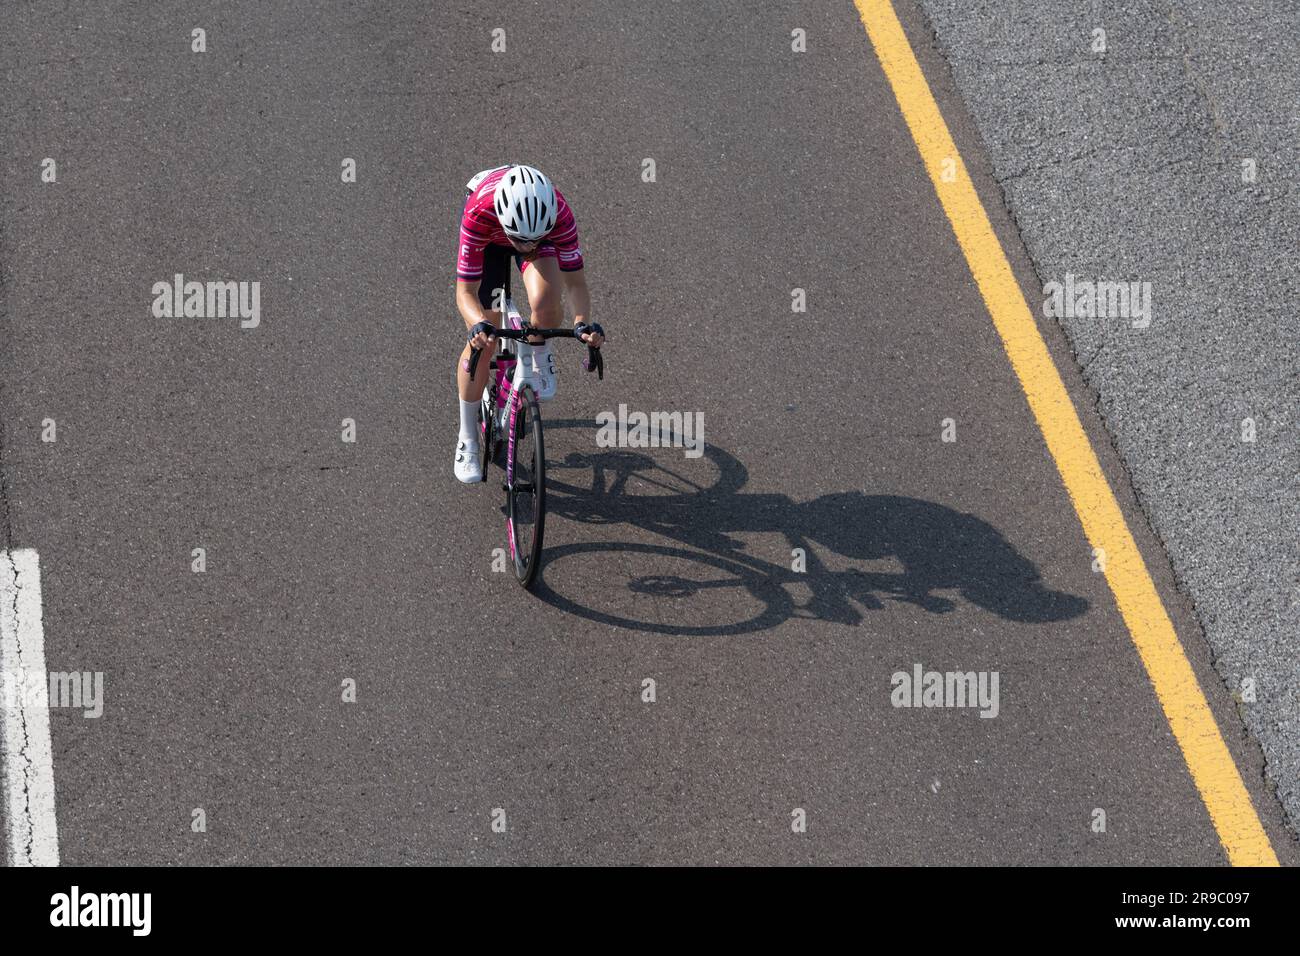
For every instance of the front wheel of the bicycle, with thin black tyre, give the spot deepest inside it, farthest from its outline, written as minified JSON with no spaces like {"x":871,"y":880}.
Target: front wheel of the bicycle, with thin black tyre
{"x":526,"y":486}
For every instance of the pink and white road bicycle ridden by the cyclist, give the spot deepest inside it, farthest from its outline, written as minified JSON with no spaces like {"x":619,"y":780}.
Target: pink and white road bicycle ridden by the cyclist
{"x":510,"y":412}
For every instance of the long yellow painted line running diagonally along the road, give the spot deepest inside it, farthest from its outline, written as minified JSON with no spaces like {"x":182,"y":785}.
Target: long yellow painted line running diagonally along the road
{"x":1186,"y":708}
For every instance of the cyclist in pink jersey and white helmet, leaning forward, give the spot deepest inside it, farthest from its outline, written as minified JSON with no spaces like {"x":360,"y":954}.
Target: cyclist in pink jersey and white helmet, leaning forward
{"x":514,"y":213}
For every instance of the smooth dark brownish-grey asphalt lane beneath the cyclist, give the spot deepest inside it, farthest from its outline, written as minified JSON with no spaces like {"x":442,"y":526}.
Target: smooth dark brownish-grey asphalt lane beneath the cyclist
{"x":332,"y":561}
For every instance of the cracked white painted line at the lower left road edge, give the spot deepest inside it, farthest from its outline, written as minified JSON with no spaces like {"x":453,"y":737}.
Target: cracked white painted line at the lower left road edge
{"x":29,"y":767}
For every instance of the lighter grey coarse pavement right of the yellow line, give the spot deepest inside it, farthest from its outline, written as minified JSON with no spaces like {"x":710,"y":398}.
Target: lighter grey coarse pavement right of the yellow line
{"x":1171,"y":158}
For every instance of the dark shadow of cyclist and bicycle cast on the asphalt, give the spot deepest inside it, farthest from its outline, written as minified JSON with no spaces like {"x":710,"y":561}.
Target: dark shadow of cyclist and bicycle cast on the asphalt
{"x":925,"y":547}
